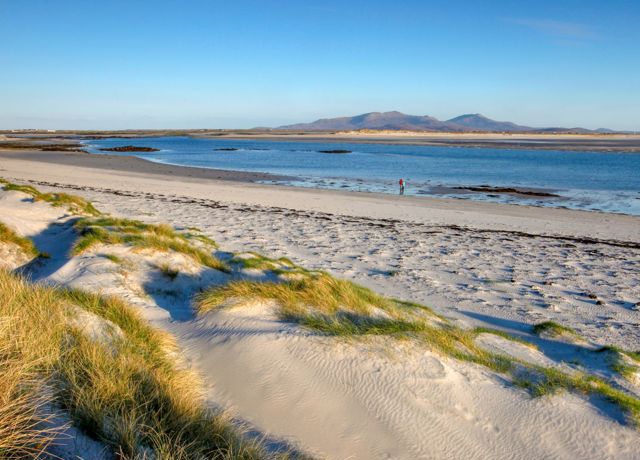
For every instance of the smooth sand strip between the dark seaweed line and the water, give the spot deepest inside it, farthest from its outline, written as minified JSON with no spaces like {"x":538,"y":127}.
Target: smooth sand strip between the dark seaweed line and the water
{"x":136,"y":174}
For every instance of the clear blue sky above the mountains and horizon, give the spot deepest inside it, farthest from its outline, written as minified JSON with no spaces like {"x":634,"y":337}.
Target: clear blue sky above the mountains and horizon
{"x":220,"y":64}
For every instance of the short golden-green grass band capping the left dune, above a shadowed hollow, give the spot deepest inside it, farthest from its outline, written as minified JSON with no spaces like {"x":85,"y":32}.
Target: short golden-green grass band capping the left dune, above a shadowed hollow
{"x":162,"y":237}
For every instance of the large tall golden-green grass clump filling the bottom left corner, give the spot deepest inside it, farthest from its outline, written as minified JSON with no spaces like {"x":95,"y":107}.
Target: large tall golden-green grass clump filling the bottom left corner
{"x":128,"y":392}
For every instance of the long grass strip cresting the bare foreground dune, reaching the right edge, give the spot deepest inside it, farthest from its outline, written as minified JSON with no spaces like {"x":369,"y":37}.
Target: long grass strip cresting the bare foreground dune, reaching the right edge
{"x":341,"y":308}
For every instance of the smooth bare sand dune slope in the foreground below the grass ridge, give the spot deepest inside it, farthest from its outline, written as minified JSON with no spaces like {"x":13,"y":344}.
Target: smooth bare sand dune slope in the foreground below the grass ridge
{"x":373,"y":400}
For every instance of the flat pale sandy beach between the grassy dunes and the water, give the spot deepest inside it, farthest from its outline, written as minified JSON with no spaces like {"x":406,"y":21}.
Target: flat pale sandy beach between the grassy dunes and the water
{"x":480,"y":262}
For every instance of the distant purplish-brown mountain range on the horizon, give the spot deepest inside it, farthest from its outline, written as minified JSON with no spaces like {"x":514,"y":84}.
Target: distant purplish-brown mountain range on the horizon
{"x":399,"y":121}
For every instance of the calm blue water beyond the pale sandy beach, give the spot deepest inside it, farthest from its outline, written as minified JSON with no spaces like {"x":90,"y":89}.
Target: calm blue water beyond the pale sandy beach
{"x":584,"y":180}
